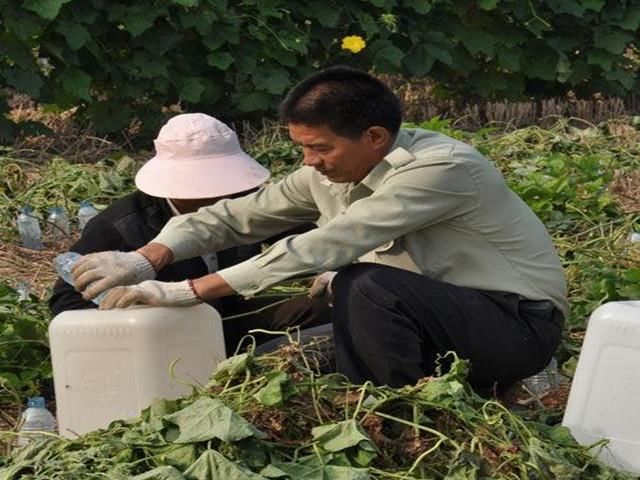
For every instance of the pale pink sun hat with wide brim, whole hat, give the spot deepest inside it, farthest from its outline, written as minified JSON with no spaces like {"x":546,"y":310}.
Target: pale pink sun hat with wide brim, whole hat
{"x":198,"y":156}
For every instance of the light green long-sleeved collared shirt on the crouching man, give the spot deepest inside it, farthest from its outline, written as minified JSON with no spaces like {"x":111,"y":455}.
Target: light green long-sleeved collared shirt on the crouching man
{"x":434,"y":205}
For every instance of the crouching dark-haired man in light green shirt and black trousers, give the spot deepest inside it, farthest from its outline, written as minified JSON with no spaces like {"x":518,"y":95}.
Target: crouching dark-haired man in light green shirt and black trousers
{"x":433,"y":251}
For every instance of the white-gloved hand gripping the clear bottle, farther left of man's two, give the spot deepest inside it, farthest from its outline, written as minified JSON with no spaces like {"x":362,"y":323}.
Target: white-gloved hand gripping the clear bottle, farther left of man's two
{"x":96,"y":272}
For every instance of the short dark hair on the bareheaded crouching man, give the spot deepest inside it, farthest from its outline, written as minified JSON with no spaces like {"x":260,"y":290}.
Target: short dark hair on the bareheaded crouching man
{"x":346,"y":100}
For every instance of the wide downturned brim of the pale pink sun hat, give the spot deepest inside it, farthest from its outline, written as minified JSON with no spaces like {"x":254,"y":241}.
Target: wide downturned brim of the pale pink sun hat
{"x":208,"y":177}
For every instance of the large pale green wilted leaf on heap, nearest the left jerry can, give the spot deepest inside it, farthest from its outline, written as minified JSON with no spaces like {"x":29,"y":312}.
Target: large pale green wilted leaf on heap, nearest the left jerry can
{"x":208,"y":418}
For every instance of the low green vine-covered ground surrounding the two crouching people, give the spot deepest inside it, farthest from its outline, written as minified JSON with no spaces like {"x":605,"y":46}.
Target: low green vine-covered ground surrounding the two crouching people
{"x":275,"y":416}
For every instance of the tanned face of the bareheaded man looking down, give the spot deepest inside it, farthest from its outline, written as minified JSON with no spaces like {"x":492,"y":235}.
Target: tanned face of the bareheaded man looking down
{"x":340,"y":159}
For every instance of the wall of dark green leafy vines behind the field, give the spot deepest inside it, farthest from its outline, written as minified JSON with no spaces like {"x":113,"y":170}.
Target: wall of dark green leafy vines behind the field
{"x":119,"y":60}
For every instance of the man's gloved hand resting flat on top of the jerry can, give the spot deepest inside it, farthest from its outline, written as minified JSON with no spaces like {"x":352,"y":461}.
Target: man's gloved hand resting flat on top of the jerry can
{"x":151,"y":292}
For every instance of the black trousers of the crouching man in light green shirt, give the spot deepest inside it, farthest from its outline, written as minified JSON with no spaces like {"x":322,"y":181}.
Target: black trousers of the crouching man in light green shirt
{"x":390,"y":325}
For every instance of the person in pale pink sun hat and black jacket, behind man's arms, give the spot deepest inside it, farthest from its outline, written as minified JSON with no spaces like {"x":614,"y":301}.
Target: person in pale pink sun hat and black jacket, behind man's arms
{"x":198,"y":161}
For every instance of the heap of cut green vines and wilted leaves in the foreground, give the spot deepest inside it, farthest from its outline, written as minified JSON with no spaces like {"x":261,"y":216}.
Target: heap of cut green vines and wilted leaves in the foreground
{"x":273,"y":417}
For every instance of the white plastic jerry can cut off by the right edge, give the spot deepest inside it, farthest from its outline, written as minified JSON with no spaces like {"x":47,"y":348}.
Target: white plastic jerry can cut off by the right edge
{"x":604,"y":402}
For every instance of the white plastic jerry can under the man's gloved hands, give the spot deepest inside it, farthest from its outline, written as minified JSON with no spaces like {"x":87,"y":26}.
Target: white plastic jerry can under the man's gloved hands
{"x":111,"y":364}
